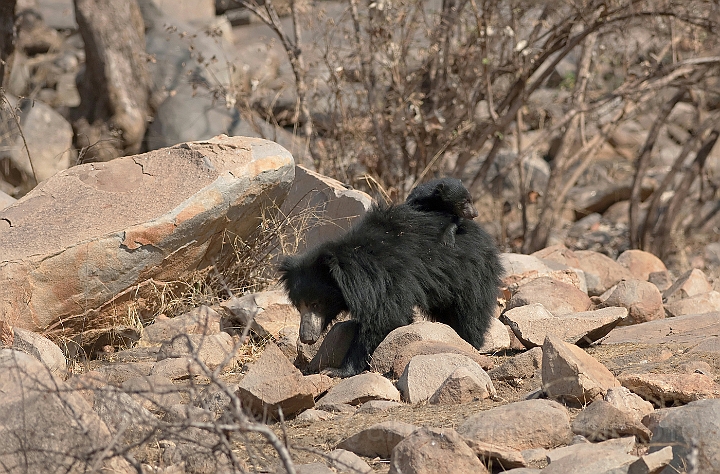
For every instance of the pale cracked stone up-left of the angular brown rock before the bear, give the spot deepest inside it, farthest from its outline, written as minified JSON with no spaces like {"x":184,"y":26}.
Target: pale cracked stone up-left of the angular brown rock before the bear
{"x":212,"y":350}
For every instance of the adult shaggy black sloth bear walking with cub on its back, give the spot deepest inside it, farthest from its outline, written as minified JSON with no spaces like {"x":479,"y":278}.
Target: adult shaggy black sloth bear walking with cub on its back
{"x":387,"y":264}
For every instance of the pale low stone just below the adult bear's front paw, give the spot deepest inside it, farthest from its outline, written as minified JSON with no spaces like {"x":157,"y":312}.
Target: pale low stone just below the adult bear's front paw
{"x":361,"y":388}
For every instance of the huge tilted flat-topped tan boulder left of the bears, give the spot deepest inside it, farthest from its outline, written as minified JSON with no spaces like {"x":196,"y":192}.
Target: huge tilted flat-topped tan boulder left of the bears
{"x":79,"y":246}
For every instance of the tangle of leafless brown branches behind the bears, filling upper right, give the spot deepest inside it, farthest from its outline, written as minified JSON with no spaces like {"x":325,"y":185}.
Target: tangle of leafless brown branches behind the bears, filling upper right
{"x":415,"y":88}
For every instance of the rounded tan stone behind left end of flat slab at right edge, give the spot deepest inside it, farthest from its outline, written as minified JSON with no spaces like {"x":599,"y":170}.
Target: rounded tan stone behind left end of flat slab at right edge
{"x":642,"y":299}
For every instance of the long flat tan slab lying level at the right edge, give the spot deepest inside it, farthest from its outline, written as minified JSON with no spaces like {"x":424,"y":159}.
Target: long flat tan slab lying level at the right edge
{"x":688,"y":331}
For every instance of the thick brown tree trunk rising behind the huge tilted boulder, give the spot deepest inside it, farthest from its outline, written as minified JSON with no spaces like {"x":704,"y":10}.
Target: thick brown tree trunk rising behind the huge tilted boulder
{"x":112,"y":116}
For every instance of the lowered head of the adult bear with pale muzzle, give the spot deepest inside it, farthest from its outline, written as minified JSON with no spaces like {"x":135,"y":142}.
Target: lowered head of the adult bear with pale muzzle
{"x":314,"y":292}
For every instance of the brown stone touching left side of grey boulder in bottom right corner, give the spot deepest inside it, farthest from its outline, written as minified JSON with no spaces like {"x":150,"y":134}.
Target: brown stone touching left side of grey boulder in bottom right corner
{"x":601,"y":420}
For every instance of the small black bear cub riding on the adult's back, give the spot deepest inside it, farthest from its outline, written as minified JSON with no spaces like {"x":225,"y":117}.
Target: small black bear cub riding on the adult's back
{"x":447,"y":195}
